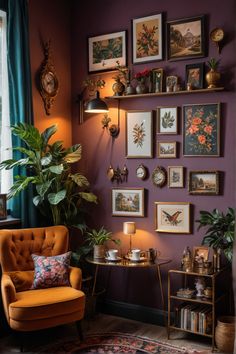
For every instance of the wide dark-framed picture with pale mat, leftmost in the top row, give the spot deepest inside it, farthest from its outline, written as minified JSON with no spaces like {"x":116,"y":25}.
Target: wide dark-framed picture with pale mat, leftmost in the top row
{"x":105,"y":50}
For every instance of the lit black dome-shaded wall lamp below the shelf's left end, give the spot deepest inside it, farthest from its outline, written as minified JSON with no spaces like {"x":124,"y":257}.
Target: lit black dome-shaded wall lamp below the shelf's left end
{"x":96,"y":105}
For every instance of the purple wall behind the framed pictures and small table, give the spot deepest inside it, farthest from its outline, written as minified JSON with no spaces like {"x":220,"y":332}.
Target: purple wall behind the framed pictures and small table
{"x":99,"y":150}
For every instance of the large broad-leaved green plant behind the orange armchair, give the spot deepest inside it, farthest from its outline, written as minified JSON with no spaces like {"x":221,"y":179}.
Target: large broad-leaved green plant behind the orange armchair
{"x":60,"y":194}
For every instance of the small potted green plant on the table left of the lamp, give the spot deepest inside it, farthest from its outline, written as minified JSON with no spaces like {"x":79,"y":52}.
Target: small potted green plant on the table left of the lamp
{"x":97,"y":239}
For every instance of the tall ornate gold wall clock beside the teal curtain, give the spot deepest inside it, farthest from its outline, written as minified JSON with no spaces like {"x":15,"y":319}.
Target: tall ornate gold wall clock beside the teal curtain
{"x":49,"y":84}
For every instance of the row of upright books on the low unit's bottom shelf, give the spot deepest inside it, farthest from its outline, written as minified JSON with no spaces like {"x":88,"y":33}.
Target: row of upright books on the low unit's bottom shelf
{"x":194,"y":318}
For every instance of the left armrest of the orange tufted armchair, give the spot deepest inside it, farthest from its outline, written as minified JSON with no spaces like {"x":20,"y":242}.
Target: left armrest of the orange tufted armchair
{"x":8,"y":293}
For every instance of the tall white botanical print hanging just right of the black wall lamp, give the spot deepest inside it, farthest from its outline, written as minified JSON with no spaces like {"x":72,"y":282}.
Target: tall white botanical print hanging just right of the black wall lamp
{"x":139,"y":134}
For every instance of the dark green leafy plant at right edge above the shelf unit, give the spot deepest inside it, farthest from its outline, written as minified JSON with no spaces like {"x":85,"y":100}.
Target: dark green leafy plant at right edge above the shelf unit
{"x":220,"y":232}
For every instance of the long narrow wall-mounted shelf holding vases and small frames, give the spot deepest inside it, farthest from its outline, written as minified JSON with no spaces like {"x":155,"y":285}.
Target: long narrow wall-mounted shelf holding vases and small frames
{"x":183,"y":92}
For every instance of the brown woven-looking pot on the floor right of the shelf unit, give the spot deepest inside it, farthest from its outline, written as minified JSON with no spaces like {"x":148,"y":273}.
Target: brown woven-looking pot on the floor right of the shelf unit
{"x":225,"y":333}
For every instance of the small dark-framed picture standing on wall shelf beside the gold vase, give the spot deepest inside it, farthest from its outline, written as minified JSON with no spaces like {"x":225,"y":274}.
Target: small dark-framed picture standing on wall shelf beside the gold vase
{"x":195,"y":75}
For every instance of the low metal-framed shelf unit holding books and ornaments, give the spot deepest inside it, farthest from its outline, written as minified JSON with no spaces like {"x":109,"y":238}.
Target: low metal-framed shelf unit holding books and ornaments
{"x":192,"y":308}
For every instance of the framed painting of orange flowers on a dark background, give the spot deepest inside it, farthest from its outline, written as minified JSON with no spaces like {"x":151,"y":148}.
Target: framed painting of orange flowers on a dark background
{"x":201,"y":126}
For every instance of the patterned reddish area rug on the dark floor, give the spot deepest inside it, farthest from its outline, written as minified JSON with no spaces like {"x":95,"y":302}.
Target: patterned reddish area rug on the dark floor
{"x":109,"y":343}
